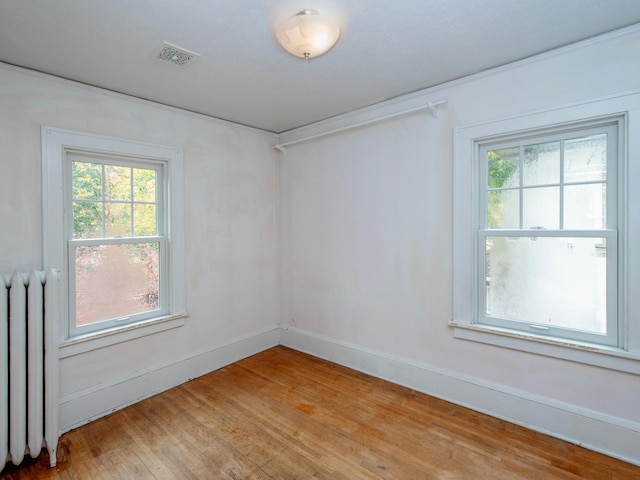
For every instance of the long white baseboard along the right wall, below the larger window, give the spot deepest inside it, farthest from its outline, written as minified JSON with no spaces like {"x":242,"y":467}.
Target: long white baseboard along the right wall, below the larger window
{"x":606,"y":434}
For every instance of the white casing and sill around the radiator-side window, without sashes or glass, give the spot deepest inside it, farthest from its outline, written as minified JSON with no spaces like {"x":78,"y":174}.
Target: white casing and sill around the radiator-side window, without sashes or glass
{"x":56,"y":240}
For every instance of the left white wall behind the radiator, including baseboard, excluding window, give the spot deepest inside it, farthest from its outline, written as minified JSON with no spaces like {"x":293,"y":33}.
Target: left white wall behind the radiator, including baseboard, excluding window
{"x":230,"y":232}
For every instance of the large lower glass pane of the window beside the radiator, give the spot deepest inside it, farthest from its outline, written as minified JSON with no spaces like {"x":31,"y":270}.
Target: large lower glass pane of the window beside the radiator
{"x":115,"y":281}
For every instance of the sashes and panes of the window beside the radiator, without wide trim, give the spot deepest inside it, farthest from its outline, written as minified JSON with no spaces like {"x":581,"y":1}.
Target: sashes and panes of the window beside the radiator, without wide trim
{"x":116,"y":240}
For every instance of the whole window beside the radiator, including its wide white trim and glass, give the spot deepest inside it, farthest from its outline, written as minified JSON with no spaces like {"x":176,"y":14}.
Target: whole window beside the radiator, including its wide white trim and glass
{"x":114,"y":225}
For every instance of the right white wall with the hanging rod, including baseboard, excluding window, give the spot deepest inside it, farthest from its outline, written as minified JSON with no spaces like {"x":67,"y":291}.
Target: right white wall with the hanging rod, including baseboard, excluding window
{"x":367,"y":248}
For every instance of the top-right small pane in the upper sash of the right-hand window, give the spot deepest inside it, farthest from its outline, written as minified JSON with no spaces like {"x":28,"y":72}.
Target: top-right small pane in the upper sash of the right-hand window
{"x":585,"y":159}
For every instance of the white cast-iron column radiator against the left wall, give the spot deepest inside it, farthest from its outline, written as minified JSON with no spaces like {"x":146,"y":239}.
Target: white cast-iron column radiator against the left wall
{"x":29,"y":418}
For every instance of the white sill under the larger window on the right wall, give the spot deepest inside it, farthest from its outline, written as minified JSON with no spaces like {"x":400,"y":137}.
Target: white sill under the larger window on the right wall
{"x":590,"y":354}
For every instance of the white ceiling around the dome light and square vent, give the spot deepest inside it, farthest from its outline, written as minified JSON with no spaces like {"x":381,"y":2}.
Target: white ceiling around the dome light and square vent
{"x":387,"y":48}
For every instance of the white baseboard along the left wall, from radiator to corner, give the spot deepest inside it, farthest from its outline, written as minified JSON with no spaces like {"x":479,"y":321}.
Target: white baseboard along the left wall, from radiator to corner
{"x":84,"y":406}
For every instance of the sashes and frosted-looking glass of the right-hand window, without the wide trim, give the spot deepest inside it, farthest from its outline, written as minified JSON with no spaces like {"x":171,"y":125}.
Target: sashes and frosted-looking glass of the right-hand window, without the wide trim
{"x":547,"y":233}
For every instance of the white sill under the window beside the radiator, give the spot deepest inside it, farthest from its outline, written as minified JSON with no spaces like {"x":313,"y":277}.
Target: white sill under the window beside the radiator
{"x":86,"y":343}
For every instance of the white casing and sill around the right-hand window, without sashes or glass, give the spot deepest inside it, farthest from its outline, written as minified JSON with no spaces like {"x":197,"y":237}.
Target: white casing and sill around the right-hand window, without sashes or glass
{"x":624,"y":356}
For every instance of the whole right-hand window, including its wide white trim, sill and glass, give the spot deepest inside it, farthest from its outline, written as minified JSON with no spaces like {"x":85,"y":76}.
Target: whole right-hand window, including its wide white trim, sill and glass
{"x":546,"y":219}
